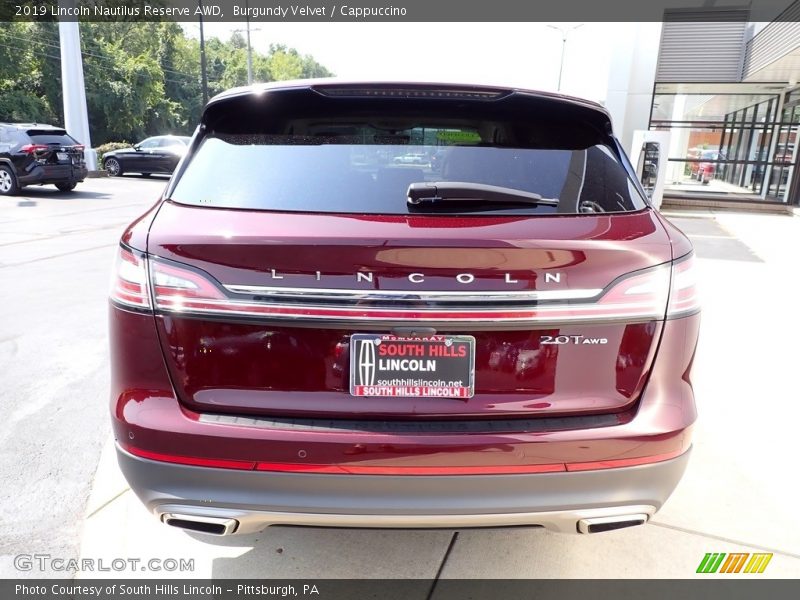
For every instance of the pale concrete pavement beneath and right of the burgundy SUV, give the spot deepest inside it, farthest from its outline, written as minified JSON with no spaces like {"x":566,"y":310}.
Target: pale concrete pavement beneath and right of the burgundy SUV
{"x":738,"y":495}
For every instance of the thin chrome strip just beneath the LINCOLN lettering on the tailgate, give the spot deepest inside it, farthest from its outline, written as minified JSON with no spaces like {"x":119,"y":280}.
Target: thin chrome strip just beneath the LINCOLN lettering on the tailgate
{"x":425,"y":295}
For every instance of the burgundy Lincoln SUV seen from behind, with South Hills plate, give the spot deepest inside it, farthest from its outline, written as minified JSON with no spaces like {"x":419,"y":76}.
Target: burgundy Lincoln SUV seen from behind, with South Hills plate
{"x":306,"y":330}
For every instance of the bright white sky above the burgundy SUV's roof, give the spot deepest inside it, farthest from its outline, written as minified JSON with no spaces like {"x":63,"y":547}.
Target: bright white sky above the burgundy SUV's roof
{"x":514,"y":54}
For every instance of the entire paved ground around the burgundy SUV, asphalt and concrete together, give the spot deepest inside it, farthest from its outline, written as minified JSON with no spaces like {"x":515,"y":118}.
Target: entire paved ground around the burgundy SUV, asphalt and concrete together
{"x":65,"y":496}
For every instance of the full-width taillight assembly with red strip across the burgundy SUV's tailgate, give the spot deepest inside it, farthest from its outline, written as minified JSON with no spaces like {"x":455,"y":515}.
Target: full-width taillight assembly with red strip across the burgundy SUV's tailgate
{"x":653,"y":293}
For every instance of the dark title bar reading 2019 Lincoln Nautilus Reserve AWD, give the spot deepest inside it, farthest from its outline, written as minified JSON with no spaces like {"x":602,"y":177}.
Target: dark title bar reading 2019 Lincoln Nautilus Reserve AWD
{"x":399,"y":10}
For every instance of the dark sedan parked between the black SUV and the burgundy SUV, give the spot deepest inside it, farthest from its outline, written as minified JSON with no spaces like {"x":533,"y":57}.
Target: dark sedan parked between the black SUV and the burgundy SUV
{"x":159,"y":154}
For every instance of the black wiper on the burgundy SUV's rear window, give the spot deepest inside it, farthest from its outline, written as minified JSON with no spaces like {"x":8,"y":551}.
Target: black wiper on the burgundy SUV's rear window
{"x":433,"y":192}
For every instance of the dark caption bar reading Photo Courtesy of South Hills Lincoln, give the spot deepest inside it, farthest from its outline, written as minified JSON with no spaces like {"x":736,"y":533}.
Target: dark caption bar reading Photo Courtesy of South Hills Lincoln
{"x":729,"y":588}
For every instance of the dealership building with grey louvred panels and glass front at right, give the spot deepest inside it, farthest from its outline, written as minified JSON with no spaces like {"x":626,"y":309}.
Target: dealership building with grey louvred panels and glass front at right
{"x":721,"y":95}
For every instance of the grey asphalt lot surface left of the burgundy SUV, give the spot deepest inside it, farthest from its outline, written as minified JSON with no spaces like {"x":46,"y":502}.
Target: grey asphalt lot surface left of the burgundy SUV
{"x":56,"y":253}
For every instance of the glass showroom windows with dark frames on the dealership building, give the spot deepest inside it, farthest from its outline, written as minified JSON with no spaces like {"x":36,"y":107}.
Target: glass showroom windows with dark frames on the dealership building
{"x":727,"y":139}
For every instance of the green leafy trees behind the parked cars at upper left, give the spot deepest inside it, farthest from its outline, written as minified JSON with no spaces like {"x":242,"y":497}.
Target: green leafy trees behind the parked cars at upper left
{"x":141,"y":78}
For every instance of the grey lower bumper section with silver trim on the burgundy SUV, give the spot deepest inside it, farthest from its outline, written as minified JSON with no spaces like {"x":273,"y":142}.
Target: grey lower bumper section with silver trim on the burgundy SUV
{"x":252,"y":500}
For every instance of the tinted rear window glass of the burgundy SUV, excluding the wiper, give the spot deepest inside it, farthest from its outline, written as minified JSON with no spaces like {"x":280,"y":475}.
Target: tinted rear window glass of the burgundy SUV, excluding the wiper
{"x":368,"y":168}
